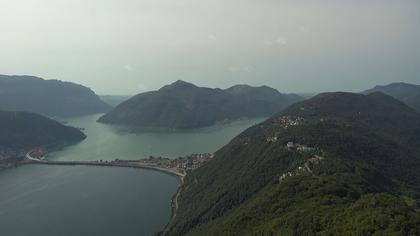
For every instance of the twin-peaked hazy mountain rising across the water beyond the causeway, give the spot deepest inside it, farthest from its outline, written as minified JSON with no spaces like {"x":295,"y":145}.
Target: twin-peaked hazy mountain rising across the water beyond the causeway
{"x":182,"y":105}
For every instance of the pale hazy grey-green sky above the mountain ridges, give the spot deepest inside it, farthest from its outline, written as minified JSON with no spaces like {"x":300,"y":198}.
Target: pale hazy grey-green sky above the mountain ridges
{"x":128,"y":46}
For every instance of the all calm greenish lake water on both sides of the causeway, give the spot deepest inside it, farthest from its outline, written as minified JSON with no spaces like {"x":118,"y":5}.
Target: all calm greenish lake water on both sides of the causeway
{"x":86,"y":201}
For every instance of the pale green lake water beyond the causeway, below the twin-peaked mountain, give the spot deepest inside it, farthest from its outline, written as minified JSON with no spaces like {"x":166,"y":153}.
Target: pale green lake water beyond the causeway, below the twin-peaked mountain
{"x":109,"y":142}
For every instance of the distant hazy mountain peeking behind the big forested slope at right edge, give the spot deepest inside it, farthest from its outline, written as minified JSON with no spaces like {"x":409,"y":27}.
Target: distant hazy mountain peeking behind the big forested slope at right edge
{"x":407,"y":93}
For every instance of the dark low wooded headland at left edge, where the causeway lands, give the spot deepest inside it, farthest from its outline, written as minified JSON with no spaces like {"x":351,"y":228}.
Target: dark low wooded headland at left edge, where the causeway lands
{"x":23,"y":131}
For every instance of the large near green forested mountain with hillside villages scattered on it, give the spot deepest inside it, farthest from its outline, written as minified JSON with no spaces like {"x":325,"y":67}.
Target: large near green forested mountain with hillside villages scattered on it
{"x":336,"y":164}
